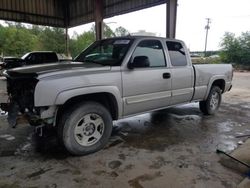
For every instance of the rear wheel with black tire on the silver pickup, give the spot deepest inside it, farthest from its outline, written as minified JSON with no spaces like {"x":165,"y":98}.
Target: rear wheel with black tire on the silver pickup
{"x":206,"y":106}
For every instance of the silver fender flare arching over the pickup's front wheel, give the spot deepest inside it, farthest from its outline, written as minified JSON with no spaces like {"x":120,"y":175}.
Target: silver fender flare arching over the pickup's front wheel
{"x":64,"y":96}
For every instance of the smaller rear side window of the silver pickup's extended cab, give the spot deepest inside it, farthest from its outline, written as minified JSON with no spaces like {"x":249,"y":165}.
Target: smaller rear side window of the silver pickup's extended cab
{"x":176,"y":53}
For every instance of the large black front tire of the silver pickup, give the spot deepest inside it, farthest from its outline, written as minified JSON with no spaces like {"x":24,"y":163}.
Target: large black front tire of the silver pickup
{"x":74,"y":117}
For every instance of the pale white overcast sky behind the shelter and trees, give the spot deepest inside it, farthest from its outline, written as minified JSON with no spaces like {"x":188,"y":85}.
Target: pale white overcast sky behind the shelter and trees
{"x":226,"y":16}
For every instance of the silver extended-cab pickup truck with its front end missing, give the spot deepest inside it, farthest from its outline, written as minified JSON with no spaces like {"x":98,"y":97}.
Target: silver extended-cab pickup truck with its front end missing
{"x":112,"y":79}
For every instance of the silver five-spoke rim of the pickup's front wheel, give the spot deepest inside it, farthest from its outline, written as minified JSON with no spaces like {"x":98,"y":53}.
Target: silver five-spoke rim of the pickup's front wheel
{"x":89,"y":129}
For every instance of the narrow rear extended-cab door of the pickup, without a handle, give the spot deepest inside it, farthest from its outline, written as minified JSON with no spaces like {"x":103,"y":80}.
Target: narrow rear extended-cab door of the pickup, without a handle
{"x":181,"y":71}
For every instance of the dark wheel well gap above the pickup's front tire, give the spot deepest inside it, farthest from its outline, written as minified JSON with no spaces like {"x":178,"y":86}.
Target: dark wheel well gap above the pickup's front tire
{"x":106,"y":99}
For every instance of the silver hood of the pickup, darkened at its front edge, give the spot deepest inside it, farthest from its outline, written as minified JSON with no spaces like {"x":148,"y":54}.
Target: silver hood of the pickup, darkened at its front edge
{"x":44,"y":70}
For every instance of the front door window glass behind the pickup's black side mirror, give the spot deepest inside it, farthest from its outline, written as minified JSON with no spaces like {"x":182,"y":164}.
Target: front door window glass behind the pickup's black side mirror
{"x":153,"y":50}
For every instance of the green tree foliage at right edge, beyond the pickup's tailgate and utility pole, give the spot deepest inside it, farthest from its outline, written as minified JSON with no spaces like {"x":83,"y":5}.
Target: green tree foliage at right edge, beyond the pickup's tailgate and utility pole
{"x":236,"y":49}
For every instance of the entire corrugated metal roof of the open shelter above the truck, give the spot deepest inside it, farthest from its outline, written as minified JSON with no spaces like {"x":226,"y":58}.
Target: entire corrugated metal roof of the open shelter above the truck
{"x":67,"y":13}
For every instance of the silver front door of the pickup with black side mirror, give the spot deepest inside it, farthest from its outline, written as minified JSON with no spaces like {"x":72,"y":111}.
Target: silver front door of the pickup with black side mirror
{"x":146,"y":87}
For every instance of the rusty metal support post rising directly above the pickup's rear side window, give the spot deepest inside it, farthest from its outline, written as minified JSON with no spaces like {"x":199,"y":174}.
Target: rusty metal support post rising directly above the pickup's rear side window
{"x":171,"y":18}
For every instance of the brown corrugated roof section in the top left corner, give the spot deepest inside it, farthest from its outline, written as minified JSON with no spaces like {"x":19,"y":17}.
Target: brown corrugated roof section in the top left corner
{"x":44,"y":12}
